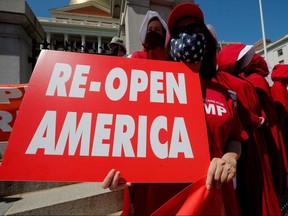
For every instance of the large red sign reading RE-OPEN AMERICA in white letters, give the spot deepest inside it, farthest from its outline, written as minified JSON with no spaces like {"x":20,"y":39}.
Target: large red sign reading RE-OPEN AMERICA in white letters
{"x":85,"y":114}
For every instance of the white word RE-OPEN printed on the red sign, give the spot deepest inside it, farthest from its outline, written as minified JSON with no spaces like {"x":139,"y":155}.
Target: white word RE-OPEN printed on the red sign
{"x":139,"y":82}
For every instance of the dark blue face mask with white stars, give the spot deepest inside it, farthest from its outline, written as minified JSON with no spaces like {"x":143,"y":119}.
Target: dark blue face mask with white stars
{"x":188,"y":48}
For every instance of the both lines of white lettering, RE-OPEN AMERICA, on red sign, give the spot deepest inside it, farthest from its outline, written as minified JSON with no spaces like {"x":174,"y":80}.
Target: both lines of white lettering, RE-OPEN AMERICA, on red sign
{"x":113,"y":133}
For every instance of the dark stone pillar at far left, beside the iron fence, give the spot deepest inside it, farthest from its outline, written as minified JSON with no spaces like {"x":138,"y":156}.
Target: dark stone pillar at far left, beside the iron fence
{"x":20,"y":33}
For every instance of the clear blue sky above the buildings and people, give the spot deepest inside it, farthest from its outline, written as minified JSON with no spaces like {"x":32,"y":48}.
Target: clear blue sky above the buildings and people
{"x":234,"y":20}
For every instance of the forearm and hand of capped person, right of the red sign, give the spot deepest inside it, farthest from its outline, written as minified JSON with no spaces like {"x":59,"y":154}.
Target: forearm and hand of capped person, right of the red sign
{"x":223,"y":170}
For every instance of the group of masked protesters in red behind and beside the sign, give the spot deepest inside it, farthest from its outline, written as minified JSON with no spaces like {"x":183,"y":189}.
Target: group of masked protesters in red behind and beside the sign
{"x":248,"y":144}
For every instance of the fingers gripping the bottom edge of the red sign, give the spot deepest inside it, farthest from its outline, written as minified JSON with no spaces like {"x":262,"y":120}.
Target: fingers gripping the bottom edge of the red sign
{"x":111,"y":181}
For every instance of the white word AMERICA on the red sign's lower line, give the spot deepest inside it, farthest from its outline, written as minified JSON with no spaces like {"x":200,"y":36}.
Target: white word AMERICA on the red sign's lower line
{"x":77,"y":135}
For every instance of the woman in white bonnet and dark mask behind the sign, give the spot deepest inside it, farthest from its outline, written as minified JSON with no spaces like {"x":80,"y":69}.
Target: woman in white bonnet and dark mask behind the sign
{"x":154,"y":37}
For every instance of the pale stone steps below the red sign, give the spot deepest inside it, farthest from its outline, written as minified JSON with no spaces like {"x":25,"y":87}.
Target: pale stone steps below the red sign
{"x":57,"y":198}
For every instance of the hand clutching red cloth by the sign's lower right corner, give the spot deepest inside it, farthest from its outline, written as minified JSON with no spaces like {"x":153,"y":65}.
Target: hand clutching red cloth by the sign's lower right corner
{"x":221,"y":170}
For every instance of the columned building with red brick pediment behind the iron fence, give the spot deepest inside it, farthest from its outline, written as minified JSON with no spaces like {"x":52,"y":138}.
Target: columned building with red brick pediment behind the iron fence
{"x":82,"y":26}
